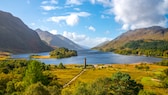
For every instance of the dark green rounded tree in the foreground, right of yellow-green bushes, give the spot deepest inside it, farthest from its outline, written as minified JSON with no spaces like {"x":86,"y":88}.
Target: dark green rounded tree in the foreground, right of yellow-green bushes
{"x":123,"y":85}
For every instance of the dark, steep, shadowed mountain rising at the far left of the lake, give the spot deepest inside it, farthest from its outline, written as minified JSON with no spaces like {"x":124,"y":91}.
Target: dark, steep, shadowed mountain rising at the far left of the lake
{"x":16,"y":37}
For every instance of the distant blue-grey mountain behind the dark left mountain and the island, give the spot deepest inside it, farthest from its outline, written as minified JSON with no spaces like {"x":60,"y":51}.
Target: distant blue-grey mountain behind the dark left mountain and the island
{"x":57,"y":40}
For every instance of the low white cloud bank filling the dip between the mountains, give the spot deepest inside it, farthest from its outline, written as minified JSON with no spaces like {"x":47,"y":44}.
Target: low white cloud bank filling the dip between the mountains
{"x":84,"y":40}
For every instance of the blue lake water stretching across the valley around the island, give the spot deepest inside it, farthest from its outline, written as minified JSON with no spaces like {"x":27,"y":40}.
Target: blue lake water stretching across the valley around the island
{"x":93,"y":57}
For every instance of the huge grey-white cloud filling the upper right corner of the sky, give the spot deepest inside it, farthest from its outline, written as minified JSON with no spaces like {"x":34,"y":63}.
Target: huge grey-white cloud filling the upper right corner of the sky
{"x":140,"y":13}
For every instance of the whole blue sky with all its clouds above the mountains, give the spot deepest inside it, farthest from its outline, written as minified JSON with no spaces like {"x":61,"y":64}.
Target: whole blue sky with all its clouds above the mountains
{"x":88,"y":22}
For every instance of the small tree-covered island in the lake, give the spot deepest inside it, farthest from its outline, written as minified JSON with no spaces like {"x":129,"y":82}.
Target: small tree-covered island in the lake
{"x":62,"y":53}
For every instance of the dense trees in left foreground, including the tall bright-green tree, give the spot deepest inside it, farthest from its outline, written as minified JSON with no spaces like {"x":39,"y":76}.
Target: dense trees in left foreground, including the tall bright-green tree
{"x":22,"y":77}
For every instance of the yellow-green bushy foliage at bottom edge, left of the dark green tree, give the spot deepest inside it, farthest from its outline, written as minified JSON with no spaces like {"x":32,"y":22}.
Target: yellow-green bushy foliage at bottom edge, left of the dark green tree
{"x":98,"y":87}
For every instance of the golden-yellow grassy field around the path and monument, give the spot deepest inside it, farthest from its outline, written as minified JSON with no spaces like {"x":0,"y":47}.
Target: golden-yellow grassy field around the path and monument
{"x":147,"y":77}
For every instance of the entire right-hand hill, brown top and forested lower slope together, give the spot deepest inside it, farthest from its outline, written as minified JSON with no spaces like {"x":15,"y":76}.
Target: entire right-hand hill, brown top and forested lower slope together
{"x":152,"y":41}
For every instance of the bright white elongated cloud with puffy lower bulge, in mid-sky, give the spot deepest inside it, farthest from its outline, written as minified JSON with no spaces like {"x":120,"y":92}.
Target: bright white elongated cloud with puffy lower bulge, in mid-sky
{"x":71,"y":19}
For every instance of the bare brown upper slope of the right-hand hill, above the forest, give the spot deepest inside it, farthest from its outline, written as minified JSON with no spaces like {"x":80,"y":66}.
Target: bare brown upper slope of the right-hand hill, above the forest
{"x":151,"y":33}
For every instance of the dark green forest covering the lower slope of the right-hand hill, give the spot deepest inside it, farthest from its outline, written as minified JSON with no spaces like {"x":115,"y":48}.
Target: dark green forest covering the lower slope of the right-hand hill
{"x":156,"y":48}
